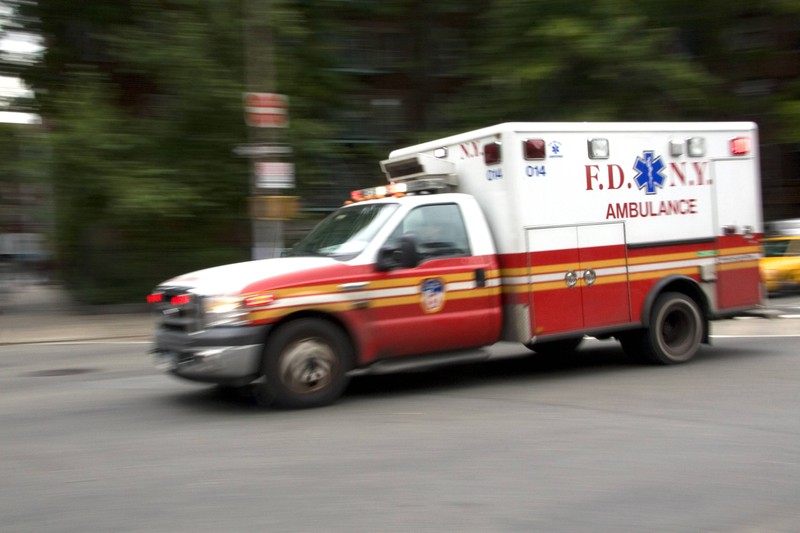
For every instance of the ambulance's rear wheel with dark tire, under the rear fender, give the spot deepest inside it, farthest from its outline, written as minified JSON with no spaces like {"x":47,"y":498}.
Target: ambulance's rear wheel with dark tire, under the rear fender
{"x":675,"y":333}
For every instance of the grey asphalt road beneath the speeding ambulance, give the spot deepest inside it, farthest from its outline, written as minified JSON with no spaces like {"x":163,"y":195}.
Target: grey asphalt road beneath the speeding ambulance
{"x":94,"y":439}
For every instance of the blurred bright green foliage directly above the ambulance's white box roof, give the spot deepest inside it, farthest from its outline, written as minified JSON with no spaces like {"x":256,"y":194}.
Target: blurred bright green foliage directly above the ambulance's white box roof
{"x":604,"y":60}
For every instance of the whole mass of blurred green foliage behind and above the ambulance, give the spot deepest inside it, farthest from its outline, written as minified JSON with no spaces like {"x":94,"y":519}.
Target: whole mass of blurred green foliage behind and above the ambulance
{"x":142,"y":100}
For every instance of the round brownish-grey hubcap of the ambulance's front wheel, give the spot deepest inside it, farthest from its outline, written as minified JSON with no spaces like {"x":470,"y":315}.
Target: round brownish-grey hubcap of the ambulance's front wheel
{"x":307,"y":366}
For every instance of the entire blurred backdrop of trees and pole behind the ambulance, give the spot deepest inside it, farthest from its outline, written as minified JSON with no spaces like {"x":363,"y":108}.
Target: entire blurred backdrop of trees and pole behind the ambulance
{"x":123,"y":136}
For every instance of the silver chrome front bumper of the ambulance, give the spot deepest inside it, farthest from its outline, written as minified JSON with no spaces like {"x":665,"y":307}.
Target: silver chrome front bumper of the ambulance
{"x":228,"y":356}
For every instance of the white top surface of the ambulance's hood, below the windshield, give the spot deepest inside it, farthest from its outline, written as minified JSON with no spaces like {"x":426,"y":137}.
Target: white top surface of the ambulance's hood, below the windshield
{"x":233,"y":278}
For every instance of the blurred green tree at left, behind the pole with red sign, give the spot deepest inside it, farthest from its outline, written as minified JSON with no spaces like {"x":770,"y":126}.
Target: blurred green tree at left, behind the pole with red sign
{"x":142,"y":100}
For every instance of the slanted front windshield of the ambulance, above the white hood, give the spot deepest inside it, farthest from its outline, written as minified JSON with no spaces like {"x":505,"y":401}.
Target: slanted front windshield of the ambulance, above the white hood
{"x":345,"y":232}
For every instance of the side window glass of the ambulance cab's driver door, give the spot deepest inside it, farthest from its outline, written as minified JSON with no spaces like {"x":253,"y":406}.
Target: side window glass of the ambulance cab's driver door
{"x":439,"y":231}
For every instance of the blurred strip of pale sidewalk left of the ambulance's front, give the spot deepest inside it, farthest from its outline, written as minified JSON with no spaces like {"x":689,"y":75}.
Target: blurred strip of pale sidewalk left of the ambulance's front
{"x":37,"y":312}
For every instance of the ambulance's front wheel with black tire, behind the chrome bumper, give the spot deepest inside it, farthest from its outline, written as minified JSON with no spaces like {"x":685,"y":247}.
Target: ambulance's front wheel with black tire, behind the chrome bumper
{"x":306,"y":363}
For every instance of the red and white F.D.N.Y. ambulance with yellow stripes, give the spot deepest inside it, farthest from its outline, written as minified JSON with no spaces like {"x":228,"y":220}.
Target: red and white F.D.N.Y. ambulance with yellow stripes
{"x":536,"y":233}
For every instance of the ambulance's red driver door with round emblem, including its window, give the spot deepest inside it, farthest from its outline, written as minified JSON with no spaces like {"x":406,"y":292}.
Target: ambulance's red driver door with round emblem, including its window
{"x":443,"y":303}
